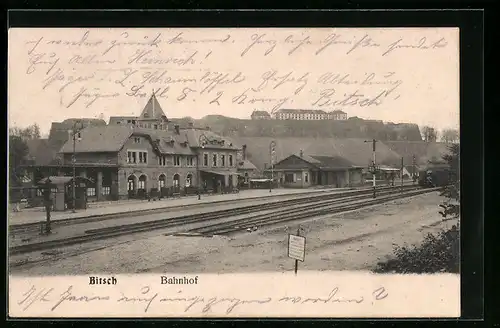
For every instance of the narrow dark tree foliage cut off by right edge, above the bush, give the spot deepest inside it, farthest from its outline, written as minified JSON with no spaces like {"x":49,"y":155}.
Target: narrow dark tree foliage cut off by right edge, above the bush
{"x":451,"y":206}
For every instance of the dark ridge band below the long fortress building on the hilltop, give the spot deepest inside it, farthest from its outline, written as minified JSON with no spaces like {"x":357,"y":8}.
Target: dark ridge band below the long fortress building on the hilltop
{"x":351,"y":128}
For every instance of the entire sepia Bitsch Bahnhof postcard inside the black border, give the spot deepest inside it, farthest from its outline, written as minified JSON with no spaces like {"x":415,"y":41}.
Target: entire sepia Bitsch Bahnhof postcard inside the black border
{"x":199,"y":156}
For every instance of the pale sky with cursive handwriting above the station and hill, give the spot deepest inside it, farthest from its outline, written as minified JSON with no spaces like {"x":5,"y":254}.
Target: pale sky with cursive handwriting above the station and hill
{"x":395,"y":75}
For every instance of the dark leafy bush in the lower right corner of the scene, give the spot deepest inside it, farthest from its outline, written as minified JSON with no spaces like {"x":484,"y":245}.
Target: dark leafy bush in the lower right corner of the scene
{"x":437,"y":253}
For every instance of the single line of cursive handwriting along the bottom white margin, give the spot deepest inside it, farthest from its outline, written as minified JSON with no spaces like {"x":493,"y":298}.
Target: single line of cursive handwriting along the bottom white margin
{"x":147,"y":297}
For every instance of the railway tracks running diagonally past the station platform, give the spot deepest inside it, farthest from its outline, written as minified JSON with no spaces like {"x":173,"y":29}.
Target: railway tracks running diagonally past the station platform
{"x":300,"y":206}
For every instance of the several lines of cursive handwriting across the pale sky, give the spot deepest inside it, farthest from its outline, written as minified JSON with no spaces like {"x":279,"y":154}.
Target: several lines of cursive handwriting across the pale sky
{"x":177,"y":65}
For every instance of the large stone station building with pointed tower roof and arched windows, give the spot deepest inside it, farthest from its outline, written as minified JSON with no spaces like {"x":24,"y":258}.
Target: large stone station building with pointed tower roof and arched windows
{"x":135,"y":156}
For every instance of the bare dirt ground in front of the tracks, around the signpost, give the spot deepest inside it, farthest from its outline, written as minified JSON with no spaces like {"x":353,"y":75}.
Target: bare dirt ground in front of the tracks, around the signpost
{"x":351,"y":241}
